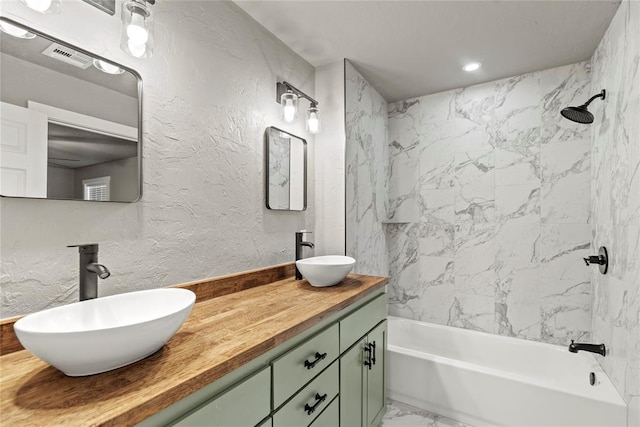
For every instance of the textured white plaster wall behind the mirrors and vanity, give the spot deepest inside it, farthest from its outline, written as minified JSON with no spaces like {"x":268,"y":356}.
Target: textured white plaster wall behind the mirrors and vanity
{"x":209,"y":94}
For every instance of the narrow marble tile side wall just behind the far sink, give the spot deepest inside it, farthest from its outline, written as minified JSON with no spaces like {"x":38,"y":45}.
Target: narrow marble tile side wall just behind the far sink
{"x":367,"y":168}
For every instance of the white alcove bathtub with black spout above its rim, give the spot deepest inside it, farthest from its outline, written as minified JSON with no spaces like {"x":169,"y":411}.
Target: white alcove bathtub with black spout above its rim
{"x":489,"y":380}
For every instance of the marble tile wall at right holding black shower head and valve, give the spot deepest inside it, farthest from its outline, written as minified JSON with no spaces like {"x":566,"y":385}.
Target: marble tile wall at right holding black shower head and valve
{"x":615,"y":204}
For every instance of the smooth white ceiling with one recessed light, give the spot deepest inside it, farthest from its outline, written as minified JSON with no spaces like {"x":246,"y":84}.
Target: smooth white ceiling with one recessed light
{"x":412,"y":48}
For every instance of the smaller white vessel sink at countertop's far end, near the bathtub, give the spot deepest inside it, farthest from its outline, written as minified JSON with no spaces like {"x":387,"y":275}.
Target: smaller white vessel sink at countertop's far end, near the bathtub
{"x":325,"y":270}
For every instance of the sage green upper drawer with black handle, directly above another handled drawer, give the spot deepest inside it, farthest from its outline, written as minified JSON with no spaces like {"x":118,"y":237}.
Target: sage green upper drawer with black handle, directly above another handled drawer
{"x":300,"y":365}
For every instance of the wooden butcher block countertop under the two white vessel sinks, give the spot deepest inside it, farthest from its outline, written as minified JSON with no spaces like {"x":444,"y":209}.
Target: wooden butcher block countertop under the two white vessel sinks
{"x":222,"y":333}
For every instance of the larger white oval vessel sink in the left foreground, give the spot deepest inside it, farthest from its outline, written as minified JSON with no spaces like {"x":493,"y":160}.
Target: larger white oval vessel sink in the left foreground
{"x":102,"y":334}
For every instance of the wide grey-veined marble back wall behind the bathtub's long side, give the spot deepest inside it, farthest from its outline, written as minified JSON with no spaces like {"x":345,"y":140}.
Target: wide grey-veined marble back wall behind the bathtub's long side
{"x":489,"y":195}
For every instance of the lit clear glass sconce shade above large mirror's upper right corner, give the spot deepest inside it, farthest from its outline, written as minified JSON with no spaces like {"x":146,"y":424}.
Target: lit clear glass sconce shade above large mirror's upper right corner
{"x":137,"y":28}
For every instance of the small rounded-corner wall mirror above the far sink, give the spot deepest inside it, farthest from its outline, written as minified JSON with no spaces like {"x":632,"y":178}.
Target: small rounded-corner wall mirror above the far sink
{"x":286,"y":171}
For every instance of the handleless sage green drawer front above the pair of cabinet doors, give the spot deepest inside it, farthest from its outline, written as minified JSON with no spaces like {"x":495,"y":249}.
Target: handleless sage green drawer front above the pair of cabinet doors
{"x":357,"y":324}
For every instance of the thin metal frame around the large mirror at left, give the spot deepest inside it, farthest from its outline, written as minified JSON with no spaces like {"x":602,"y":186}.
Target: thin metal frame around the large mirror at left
{"x":93,"y":55}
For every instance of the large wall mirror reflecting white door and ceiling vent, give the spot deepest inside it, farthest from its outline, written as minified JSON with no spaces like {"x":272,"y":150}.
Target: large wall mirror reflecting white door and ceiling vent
{"x":70,"y":121}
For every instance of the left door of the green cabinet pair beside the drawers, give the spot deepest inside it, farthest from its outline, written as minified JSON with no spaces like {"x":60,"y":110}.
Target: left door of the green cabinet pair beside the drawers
{"x":352,"y":386}
